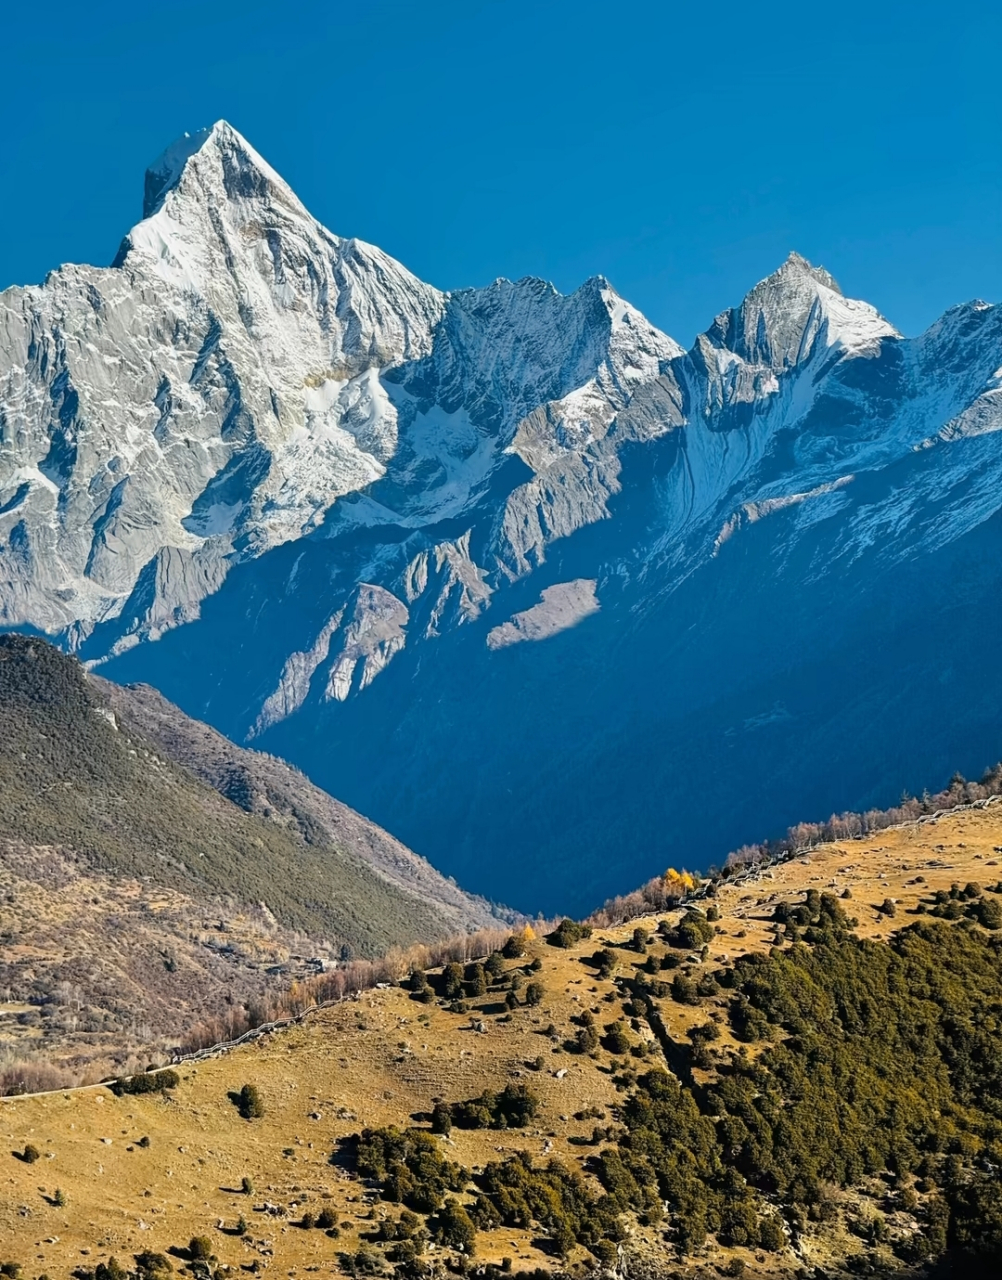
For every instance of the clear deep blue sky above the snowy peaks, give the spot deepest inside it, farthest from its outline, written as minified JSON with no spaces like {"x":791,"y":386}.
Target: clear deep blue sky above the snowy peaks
{"x":681,"y":150}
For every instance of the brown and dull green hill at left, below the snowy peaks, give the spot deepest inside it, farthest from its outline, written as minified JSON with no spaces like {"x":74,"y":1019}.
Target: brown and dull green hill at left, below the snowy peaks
{"x":155,"y":876}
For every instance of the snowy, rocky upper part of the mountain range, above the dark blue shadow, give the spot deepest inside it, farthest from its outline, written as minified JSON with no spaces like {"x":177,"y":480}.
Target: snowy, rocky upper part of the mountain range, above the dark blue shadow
{"x":243,"y":378}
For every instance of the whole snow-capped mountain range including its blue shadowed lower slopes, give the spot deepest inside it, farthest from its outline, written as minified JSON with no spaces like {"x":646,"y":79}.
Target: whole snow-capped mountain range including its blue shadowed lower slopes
{"x":511,"y":572}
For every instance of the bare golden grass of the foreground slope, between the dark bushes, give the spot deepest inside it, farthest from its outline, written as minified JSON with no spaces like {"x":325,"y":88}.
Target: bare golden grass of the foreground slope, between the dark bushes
{"x":383,"y":1059}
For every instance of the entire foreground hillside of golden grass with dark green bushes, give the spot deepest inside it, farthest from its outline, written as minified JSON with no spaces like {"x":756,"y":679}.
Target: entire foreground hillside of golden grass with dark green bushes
{"x":794,"y":1073}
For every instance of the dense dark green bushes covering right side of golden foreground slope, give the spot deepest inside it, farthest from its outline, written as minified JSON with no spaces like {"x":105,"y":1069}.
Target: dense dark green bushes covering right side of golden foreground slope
{"x":861,"y":1063}
